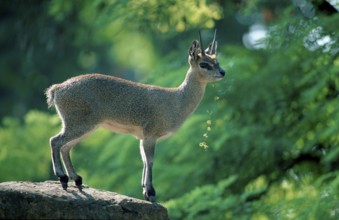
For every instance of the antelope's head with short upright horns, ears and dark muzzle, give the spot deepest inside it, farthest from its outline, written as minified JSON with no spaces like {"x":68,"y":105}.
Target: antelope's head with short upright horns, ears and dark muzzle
{"x":205,"y":62}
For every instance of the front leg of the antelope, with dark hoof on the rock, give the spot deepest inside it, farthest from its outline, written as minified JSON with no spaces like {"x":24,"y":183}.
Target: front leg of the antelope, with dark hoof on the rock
{"x":147,"y":155}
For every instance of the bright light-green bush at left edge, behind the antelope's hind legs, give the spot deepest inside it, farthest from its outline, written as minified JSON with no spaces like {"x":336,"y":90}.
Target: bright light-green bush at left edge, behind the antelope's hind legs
{"x":24,"y":152}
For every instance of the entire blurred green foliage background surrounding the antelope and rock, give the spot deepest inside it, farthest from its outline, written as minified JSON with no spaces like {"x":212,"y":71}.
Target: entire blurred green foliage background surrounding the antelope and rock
{"x":263,"y":144}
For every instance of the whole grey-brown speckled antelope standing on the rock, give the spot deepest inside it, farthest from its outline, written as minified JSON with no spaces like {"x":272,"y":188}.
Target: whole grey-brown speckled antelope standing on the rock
{"x":148,"y":112}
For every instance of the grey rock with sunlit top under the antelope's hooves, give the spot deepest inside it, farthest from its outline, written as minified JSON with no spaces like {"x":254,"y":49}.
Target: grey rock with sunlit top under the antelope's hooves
{"x":47,"y":200}
